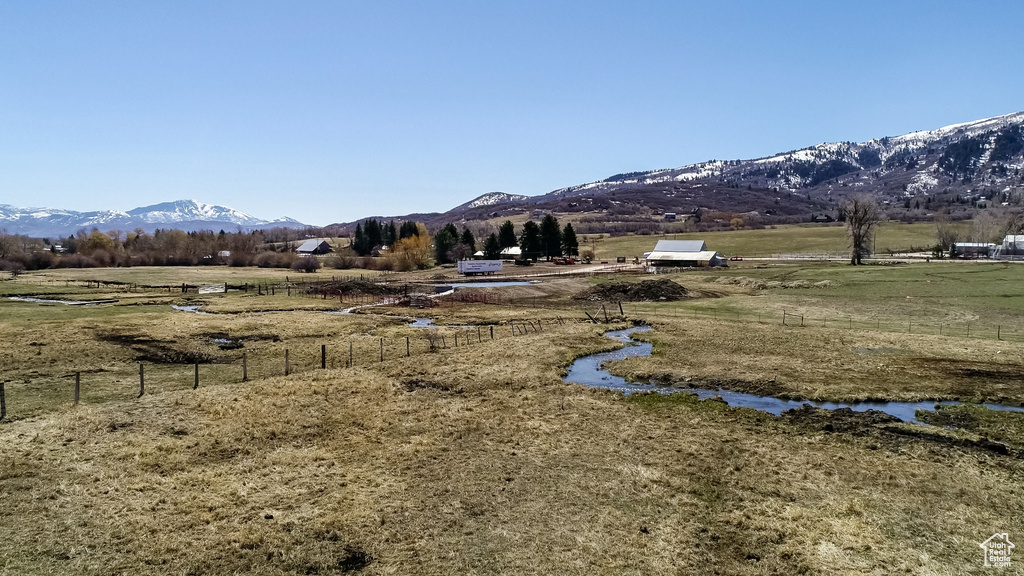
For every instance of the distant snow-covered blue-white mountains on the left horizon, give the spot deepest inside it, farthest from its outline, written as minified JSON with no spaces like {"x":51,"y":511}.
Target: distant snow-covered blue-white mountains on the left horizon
{"x":182,"y":215}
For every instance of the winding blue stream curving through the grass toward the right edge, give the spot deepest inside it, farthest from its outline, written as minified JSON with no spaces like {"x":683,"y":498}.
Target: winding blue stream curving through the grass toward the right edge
{"x":588,"y":372}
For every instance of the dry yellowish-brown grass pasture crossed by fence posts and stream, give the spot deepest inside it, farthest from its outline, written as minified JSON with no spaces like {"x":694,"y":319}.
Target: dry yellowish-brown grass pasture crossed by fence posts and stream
{"x":479,"y":460}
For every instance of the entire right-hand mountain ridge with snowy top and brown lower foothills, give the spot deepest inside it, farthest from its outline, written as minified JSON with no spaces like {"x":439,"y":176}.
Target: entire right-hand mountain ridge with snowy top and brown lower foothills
{"x":965,"y":164}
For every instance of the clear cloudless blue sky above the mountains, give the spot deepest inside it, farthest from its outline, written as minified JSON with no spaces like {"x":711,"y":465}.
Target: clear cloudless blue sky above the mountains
{"x":332,"y":111}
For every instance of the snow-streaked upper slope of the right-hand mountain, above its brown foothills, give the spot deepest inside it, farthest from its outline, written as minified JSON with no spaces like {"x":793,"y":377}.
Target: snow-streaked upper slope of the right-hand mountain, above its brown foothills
{"x":985,"y":153}
